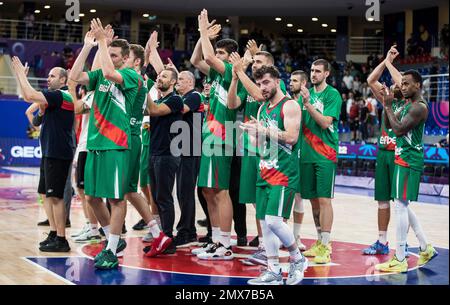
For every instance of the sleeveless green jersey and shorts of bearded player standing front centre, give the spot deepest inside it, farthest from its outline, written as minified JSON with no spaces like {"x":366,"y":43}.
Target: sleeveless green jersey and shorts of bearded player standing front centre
{"x":278,"y":168}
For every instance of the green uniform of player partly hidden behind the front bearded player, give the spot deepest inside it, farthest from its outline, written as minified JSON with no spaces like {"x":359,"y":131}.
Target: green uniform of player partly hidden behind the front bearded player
{"x":250,"y":160}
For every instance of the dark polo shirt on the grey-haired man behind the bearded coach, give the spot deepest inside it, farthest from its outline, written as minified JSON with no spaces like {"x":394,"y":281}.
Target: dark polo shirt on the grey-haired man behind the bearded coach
{"x":194,"y":118}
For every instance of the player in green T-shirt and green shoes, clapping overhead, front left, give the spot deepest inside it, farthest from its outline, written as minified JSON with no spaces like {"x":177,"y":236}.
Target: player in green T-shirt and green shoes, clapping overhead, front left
{"x":109,"y":135}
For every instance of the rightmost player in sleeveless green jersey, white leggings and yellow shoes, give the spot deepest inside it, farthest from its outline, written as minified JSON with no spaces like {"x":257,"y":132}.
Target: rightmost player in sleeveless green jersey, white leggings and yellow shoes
{"x":408,"y":125}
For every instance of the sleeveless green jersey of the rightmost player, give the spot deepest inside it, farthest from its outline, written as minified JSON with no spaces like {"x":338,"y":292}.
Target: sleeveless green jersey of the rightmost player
{"x":409,"y":148}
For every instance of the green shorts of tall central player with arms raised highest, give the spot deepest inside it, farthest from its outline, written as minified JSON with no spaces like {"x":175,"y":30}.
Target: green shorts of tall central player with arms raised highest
{"x":215,"y":172}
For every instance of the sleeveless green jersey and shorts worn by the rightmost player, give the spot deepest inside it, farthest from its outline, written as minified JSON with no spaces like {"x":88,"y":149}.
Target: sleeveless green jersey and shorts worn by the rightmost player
{"x":409,"y":160}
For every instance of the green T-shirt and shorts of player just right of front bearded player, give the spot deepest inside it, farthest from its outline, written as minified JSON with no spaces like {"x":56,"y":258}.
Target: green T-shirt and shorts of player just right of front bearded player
{"x":319,"y":147}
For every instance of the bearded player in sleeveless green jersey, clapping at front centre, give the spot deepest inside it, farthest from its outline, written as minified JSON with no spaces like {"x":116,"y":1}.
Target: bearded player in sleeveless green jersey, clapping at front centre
{"x":278,"y":127}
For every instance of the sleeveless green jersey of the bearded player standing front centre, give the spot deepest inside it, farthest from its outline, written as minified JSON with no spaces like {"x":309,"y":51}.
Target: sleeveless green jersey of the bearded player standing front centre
{"x":279,"y":163}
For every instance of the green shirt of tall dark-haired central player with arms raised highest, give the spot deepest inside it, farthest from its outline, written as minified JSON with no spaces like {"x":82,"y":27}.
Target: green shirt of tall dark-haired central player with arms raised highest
{"x":218,"y":113}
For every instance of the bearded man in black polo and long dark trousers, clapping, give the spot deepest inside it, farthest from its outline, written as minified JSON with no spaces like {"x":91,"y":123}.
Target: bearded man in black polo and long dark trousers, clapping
{"x":163,"y":164}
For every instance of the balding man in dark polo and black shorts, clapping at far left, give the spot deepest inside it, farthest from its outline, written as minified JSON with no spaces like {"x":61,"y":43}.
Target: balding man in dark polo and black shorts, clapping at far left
{"x":57,"y":148}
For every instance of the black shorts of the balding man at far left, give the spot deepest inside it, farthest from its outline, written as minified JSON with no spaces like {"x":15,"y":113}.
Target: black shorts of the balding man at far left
{"x":53,"y":177}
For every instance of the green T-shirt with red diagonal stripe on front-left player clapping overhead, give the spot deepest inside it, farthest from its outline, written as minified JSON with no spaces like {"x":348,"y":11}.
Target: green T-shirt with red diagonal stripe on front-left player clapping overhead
{"x":109,"y":120}
